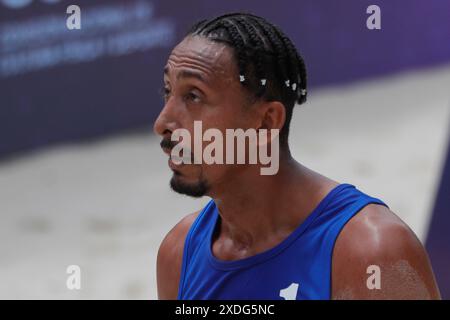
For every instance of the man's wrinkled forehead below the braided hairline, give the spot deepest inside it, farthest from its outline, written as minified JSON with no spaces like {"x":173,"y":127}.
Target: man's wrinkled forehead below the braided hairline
{"x":208,"y":57}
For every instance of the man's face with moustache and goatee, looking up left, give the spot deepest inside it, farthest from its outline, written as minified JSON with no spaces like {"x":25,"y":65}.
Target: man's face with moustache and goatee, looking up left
{"x":201,"y":83}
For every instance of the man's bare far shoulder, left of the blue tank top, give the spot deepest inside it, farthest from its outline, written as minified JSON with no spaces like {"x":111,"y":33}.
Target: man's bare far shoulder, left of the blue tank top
{"x":170,"y":257}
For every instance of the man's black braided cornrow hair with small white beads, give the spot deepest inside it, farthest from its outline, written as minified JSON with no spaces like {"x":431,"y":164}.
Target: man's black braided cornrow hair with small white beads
{"x":270,"y":67}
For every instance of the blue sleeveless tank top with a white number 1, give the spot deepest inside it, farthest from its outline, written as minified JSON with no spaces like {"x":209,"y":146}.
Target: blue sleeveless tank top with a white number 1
{"x":297,"y":268}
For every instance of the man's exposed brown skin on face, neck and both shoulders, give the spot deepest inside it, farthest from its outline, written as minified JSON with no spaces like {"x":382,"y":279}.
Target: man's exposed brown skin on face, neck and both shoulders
{"x":258,"y":212}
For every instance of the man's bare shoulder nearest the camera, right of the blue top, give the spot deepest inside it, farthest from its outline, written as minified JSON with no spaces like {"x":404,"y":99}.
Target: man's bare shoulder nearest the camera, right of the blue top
{"x":376,"y":256}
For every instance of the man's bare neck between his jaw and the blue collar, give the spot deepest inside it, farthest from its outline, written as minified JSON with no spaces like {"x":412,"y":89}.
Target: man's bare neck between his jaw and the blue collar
{"x":256,"y":208}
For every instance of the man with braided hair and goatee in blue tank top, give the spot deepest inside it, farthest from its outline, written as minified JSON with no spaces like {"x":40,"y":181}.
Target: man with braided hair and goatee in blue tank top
{"x":292,"y":235}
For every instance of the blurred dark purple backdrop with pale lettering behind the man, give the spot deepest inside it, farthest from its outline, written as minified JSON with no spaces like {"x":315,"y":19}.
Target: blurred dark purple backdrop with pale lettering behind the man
{"x":58,"y":85}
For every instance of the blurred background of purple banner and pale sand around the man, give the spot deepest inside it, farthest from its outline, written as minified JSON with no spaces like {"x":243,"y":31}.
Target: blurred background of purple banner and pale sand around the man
{"x":82,"y":179}
